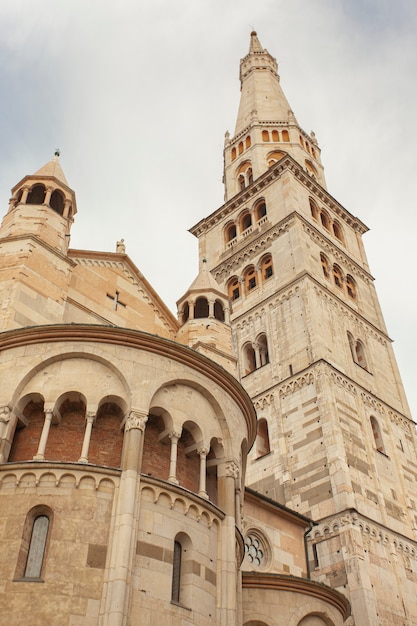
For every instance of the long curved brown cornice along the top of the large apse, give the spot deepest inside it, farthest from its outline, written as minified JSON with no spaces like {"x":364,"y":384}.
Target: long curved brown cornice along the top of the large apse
{"x":83,"y":333}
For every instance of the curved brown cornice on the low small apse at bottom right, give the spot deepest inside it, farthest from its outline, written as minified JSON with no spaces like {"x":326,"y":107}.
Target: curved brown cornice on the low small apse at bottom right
{"x":292,"y":584}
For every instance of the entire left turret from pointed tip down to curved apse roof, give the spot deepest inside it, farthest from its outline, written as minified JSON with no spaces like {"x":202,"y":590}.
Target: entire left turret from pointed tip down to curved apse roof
{"x":34,"y":237}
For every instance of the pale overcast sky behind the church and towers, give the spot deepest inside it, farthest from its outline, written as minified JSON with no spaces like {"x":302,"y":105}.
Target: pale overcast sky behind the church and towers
{"x":138,"y":95}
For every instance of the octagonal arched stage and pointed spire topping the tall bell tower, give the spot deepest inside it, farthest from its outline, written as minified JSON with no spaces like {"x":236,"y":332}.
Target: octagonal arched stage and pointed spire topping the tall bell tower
{"x":266,"y":128}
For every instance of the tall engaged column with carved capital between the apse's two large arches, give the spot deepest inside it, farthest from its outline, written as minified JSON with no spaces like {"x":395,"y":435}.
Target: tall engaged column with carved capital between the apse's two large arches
{"x":116,"y":591}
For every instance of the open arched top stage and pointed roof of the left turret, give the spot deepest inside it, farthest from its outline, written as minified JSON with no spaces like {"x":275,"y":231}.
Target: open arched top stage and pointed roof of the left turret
{"x":42,"y":204}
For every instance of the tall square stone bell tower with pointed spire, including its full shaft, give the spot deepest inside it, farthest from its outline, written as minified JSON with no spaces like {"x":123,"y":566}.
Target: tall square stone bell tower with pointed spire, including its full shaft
{"x":336,"y":440}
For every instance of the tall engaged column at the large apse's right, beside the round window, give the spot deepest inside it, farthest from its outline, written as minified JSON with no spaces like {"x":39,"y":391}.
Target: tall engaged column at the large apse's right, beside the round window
{"x":229,"y":474}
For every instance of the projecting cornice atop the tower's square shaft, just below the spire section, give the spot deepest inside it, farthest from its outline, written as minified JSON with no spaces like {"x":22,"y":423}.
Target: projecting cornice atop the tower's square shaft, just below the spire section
{"x":287,"y":163}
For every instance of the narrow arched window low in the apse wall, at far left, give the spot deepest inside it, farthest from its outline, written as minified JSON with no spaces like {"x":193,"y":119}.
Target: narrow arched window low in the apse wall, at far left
{"x":31,"y":557}
